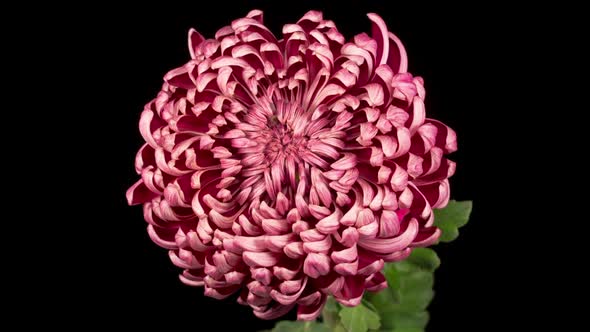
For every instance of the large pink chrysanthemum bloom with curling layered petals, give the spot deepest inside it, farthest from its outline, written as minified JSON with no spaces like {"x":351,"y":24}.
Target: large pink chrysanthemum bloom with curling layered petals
{"x":289,"y":170}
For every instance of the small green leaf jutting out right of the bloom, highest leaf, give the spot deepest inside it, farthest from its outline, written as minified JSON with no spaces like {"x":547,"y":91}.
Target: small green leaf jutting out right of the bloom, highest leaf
{"x":451,"y":218}
